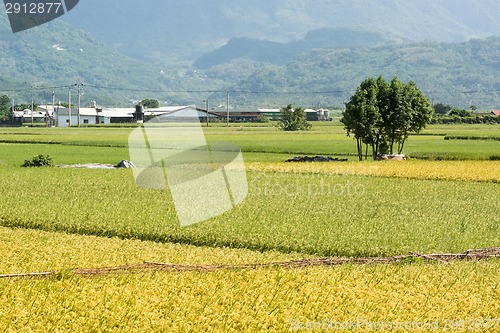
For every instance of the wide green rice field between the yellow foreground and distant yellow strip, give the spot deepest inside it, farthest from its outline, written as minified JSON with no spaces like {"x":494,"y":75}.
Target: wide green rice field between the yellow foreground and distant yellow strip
{"x":325,"y":215}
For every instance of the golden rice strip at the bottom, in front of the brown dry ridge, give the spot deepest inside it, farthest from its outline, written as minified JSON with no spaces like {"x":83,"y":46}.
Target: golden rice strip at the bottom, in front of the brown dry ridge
{"x":254,"y":300}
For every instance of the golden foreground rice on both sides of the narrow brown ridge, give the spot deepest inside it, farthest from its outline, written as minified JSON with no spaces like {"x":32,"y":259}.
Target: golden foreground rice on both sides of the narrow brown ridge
{"x":262,"y":300}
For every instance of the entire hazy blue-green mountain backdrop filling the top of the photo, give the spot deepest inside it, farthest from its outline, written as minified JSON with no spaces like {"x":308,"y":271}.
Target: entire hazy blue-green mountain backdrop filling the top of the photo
{"x":182,"y":51}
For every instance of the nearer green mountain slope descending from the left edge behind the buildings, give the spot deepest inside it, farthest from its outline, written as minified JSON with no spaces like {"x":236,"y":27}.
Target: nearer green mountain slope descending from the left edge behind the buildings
{"x":57,"y":55}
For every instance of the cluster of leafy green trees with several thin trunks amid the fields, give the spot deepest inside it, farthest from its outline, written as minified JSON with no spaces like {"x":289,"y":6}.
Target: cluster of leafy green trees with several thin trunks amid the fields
{"x":382,"y":115}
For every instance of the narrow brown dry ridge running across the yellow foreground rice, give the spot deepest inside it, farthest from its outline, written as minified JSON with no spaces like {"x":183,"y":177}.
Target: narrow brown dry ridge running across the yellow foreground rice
{"x":147,"y":267}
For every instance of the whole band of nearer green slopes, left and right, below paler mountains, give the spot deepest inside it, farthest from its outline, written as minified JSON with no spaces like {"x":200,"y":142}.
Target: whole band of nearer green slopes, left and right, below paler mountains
{"x":56,"y":54}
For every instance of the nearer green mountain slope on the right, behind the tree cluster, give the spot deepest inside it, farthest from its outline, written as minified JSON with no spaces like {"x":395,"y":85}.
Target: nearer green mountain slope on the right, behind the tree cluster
{"x":461,"y":74}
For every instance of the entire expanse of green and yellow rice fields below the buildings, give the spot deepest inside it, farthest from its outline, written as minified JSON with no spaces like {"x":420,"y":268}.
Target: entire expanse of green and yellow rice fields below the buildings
{"x":60,"y":220}
